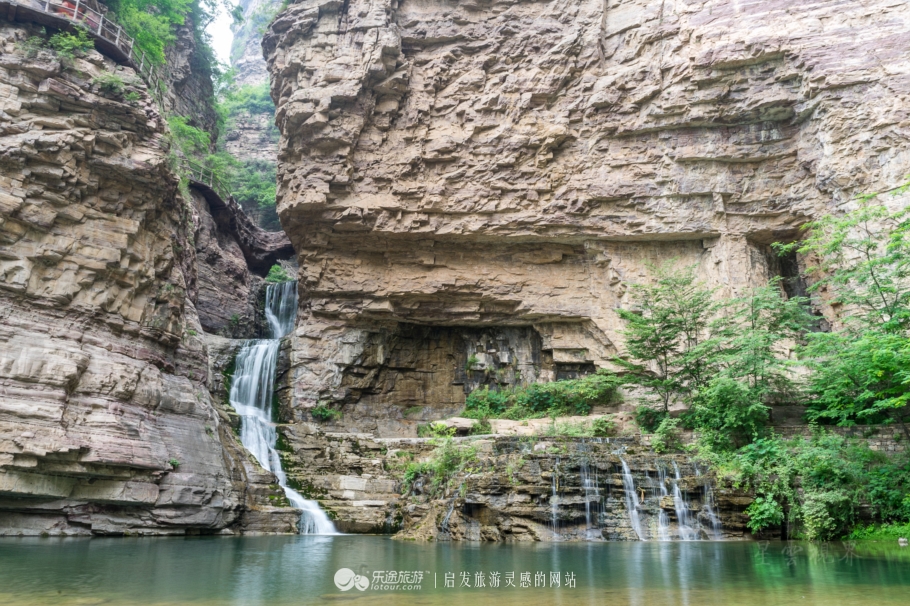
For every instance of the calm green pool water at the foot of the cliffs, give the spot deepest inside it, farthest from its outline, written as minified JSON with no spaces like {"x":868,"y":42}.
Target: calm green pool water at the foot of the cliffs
{"x":275,"y":571}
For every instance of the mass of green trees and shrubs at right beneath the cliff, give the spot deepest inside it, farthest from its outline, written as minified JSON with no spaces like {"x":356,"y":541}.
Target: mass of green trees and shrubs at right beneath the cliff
{"x":722,"y":360}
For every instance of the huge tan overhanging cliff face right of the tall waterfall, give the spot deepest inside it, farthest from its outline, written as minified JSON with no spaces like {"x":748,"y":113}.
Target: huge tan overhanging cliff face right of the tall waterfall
{"x":504,"y":164}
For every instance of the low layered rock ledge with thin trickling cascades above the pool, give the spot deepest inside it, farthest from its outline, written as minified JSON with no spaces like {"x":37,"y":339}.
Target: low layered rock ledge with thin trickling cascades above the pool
{"x":509,"y":493}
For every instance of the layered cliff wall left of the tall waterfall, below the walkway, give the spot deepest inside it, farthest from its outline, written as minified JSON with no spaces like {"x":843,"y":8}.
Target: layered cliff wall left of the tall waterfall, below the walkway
{"x":106,"y":422}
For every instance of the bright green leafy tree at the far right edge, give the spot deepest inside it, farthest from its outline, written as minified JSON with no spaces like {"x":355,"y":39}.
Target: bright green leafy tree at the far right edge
{"x":861,"y":373}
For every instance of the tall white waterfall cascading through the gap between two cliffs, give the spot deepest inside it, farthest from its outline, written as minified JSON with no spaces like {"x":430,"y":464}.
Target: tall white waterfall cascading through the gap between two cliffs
{"x":252,"y":392}
